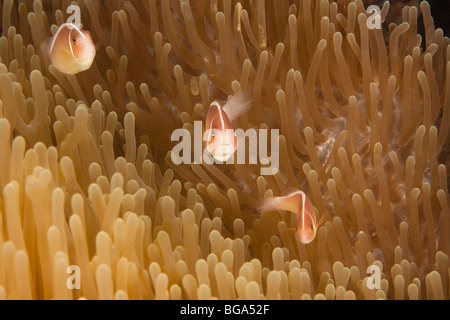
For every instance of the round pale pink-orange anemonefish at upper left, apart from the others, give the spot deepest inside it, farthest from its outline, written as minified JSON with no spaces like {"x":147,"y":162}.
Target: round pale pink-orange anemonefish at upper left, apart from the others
{"x":71,"y":49}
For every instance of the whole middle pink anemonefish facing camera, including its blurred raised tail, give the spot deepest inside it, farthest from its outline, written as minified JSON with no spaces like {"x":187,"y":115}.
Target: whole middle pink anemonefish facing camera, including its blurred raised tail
{"x":221,"y":138}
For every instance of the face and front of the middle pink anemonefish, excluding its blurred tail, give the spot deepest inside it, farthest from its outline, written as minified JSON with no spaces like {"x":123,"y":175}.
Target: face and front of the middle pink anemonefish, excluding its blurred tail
{"x":221,"y":140}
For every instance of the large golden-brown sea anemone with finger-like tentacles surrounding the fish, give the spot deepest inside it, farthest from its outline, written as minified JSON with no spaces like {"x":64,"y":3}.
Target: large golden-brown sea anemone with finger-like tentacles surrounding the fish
{"x":87,"y":179}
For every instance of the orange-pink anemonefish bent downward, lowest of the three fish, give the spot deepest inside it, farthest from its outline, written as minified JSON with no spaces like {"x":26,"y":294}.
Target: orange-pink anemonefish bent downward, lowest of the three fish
{"x":299,"y":203}
